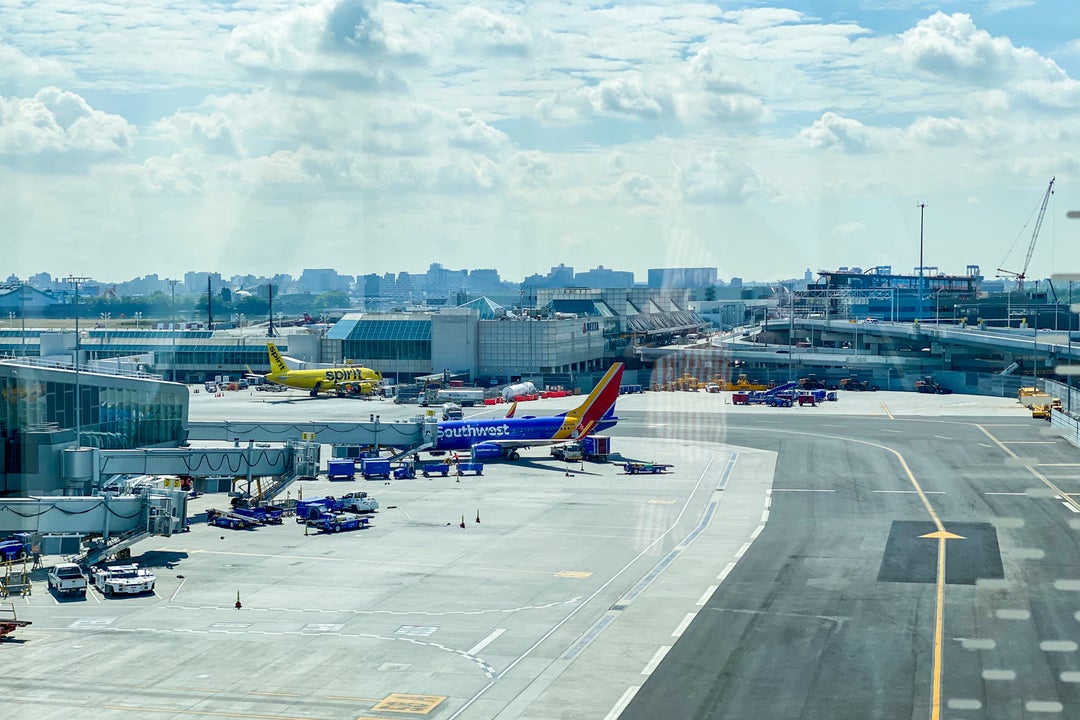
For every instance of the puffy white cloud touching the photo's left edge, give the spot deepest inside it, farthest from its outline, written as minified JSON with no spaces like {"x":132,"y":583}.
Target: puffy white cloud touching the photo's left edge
{"x":58,"y":123}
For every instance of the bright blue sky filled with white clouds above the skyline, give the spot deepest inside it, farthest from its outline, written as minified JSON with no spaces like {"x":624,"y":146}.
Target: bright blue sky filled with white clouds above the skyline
{"x":763,"y":139}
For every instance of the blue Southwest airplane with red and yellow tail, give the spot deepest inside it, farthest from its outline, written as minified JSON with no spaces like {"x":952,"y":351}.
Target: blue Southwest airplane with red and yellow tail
{"x":506,"y":437}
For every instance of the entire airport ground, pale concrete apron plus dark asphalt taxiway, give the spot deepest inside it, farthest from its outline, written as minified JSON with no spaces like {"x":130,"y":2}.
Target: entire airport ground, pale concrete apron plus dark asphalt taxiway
{"x":752,"y":580}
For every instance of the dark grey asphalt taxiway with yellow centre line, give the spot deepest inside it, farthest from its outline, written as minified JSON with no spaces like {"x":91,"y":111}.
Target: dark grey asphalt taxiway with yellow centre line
{"x":834,"y":613}
